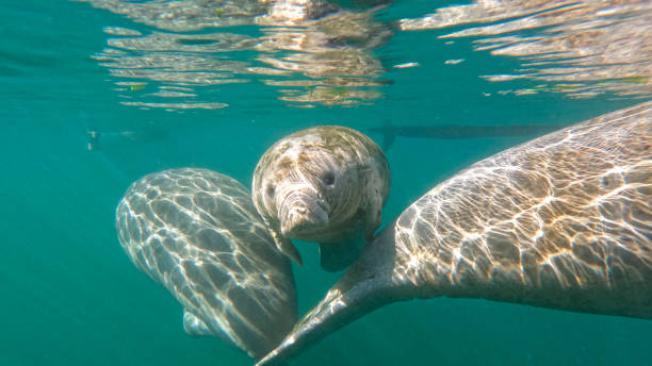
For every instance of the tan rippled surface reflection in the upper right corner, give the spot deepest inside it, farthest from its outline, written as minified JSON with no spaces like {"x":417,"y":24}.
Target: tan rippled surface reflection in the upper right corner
{"x":579,"y":48}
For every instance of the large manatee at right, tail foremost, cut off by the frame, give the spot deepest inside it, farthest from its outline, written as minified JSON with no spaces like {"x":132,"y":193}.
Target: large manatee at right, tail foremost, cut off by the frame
{"x":563,"y":221}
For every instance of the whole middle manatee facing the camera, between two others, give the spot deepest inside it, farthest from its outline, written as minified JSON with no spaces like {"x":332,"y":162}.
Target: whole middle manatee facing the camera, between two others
{"x":325,"y":184}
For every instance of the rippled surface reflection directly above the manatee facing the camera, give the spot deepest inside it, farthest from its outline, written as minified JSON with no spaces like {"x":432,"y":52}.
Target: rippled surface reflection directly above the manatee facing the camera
{"x":314,"y":61}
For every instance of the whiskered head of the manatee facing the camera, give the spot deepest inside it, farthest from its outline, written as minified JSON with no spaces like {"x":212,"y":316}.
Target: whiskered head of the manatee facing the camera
{"x":310,"y":184}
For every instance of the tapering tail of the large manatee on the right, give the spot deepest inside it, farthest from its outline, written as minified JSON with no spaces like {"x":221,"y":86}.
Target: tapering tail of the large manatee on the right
{"x":365,"y":287}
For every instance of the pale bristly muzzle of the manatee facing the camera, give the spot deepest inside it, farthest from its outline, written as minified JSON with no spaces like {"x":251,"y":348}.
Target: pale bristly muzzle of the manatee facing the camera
{"x":303,"y":218}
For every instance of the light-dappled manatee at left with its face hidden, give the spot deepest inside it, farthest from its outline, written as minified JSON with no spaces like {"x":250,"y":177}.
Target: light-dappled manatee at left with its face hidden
{"x":197,"y":233}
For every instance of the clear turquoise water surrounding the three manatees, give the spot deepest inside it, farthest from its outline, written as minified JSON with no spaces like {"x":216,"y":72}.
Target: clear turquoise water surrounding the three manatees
{"x":72,"y":297}
